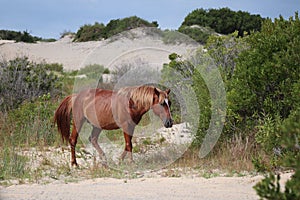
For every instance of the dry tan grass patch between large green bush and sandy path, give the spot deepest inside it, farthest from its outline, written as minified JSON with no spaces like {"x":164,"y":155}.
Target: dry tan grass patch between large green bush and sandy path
{"x":233,"y":155}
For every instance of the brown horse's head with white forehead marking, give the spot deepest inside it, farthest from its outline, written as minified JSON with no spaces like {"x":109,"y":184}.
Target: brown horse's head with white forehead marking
{"x":161,"y":106}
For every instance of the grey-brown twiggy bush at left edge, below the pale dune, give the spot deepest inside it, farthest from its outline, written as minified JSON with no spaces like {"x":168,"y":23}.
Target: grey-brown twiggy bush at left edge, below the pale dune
{"x":22,"y":80}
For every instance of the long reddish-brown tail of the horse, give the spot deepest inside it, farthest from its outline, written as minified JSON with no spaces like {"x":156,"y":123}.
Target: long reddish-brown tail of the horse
{"x":62,"y":117}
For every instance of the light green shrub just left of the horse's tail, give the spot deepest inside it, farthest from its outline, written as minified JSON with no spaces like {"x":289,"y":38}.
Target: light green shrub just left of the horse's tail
{"x":31,"y":124}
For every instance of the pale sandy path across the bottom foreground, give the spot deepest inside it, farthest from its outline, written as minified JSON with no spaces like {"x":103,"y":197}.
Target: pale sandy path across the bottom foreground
{"x":143,"y":188}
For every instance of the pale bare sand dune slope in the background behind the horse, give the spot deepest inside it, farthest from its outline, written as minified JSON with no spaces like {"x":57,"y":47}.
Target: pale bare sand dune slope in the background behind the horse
{"x":143,"y":44}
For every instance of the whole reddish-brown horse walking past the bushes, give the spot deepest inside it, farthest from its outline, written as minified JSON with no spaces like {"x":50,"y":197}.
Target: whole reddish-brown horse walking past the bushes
{"x":108,"y":110}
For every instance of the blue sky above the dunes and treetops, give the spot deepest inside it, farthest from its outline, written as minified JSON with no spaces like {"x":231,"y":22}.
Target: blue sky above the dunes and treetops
{"x":49,"y":18}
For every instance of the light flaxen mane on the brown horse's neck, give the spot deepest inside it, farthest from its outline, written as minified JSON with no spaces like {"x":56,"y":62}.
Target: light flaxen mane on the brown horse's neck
{"x":142,"y":96}
